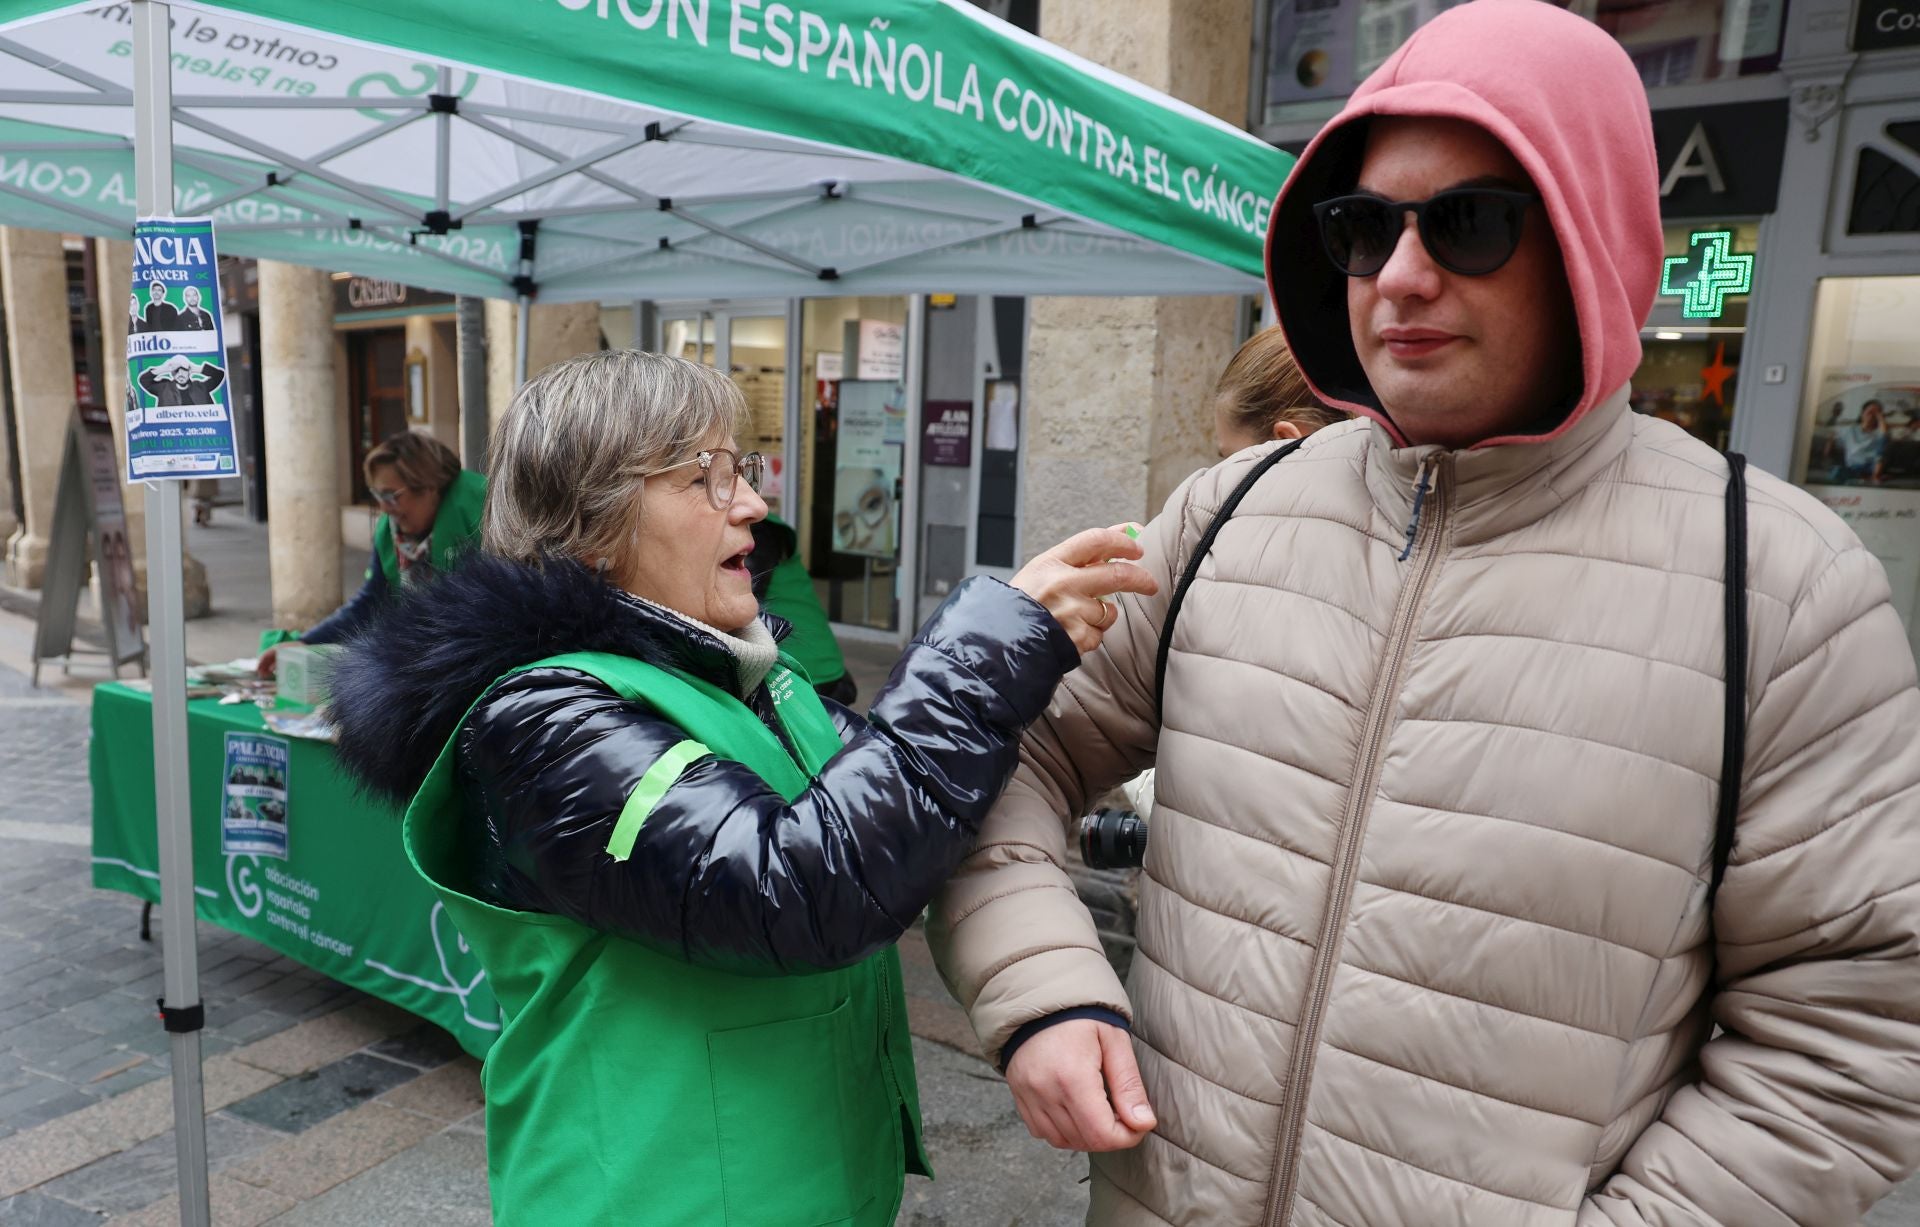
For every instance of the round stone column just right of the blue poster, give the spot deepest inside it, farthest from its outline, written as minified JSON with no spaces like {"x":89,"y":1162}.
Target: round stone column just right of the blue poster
{"x":297,"y":324}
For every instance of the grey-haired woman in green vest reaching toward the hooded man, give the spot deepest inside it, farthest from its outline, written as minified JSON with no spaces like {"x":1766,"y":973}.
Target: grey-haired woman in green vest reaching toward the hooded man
{"x":681,"y":867}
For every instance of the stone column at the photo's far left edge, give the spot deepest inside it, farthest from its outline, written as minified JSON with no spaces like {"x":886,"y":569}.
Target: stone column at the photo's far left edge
{"x":34,"y":270}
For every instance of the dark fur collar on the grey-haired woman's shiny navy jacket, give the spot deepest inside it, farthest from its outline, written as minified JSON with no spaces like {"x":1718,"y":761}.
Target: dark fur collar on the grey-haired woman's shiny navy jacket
{"x":402,"y":686}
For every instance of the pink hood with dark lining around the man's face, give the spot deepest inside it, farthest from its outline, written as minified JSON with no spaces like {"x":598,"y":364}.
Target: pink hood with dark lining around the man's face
{"x":1564,"y":97}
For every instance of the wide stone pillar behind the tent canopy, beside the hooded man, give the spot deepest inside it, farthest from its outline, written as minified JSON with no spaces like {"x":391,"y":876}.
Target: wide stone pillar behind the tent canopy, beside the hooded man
{"x":1118,"y":389}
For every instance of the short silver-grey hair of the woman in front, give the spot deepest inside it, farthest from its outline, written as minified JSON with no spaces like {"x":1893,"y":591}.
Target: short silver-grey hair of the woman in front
{"x":577,"y":443}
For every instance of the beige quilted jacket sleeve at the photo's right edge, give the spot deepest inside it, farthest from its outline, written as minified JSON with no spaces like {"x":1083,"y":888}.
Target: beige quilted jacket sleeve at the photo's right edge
{"x":1808,"y":1105}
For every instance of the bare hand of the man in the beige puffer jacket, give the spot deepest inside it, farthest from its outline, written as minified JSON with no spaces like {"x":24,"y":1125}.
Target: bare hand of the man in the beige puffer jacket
{"x":1078,"y":1088}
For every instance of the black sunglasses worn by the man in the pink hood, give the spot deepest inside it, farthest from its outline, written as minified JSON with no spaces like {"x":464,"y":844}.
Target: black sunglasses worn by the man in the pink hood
{"x":1468,"y":231}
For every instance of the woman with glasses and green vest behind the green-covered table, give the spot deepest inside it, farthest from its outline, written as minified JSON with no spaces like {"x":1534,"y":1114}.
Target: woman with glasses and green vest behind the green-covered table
{"x":431,"y":516}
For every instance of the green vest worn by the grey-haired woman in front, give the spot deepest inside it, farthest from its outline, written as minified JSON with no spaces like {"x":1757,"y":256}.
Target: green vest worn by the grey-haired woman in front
{"x":633,"y":1088}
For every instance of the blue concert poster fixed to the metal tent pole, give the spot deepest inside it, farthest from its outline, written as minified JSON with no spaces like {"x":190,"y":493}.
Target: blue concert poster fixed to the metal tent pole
{"x":180,"y":418}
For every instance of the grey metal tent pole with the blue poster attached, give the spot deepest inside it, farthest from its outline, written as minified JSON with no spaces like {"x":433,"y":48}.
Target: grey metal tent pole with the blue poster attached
{"x":153,"y":91}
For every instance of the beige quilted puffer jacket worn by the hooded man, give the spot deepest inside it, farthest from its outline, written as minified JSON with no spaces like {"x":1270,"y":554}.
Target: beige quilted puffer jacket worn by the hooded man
{"x":1472,"y":988}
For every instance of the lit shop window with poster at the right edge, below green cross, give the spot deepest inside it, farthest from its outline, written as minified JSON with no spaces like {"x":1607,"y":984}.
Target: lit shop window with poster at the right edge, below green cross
{"x":1861,"y":423}
